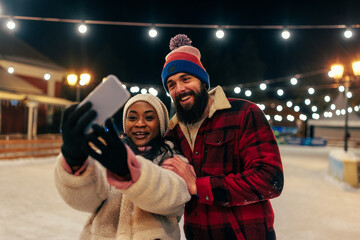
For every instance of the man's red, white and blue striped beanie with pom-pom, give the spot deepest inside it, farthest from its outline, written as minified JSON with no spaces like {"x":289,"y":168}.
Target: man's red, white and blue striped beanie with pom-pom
{"x":183,"y":58}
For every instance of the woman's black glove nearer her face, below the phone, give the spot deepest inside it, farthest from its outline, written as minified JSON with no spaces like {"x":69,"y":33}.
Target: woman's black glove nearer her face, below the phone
{"x":113,"y":155}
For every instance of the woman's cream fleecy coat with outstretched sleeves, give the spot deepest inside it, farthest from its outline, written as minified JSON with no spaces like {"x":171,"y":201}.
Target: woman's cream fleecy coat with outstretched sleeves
{"x":149,"y":209}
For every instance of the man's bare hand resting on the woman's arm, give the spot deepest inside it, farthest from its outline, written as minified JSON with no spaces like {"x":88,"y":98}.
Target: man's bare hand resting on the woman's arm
{"x":184,"y":170}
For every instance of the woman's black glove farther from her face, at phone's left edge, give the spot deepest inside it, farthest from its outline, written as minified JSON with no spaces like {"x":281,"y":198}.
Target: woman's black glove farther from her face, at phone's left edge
{"x":73,"y":126}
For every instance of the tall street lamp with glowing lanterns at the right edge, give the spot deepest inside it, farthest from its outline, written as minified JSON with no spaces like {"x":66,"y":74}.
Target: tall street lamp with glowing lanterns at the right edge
{"x":338,"y":70}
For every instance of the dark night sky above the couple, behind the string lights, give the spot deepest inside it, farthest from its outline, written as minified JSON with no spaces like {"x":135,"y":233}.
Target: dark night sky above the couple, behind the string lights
{"x":242,"y":56}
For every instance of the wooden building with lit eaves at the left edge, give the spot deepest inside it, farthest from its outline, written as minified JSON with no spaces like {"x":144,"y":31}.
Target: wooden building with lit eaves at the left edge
{"x":29,"y":104}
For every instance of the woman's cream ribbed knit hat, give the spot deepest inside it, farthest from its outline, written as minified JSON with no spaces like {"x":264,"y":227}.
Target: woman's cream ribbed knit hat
{"x":159,"y":106}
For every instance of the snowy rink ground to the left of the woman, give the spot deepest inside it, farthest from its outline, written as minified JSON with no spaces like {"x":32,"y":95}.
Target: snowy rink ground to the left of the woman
{"x":30,"y":205}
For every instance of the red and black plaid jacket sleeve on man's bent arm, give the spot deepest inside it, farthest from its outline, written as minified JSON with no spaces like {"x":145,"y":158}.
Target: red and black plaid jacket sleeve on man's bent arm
{"x":262,"y":175}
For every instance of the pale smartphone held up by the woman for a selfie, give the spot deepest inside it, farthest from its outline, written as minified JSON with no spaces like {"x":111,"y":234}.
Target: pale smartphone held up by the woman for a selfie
{"x":107,"y":98}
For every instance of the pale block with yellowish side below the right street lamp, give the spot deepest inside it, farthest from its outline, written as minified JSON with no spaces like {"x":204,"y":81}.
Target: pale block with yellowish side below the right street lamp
{"x":345,"y":166}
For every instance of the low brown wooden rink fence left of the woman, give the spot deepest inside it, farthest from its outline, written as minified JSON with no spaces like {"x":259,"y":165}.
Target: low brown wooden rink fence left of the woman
{"x":23,"y":148}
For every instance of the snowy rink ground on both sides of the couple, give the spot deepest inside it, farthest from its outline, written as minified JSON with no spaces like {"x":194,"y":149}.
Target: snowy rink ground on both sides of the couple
{"x":313,"y":204}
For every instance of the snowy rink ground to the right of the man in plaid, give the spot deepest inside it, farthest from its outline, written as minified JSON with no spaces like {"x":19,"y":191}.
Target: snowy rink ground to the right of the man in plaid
{"x":314,"y":205}
